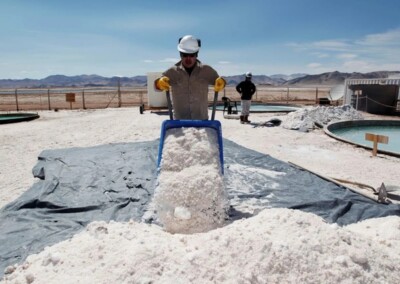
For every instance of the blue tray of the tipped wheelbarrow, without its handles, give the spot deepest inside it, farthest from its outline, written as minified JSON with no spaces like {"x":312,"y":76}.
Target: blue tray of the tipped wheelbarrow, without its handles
{"x":168,"y":124}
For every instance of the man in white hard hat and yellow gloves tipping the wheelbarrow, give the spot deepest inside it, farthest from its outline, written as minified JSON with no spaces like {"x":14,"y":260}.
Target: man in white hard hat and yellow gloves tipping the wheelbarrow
{"x":189,"y":80}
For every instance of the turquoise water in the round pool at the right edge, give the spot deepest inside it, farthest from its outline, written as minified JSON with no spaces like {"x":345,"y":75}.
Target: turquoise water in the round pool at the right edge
{"x":356,"y":134}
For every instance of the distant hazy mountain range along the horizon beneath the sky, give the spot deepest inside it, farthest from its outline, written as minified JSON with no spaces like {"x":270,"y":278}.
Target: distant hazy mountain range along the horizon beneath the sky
{"x":300,"y":79}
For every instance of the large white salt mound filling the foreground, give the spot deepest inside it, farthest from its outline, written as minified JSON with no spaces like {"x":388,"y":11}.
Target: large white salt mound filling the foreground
{"x":277,"y":245}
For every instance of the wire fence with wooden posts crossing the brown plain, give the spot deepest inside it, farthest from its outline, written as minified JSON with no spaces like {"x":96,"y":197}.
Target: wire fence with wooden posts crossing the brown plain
{"x":105,"y":97}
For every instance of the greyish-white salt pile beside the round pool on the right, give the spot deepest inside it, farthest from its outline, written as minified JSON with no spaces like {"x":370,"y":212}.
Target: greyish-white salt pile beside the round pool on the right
{"x":307,"y":118}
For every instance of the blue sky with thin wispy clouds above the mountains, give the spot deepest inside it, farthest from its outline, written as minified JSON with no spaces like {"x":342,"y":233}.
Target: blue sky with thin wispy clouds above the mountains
{"x":129,"y":38}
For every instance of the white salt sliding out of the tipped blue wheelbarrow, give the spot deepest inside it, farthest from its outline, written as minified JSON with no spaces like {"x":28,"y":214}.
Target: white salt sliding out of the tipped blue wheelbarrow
{"x":190,"y":196}
